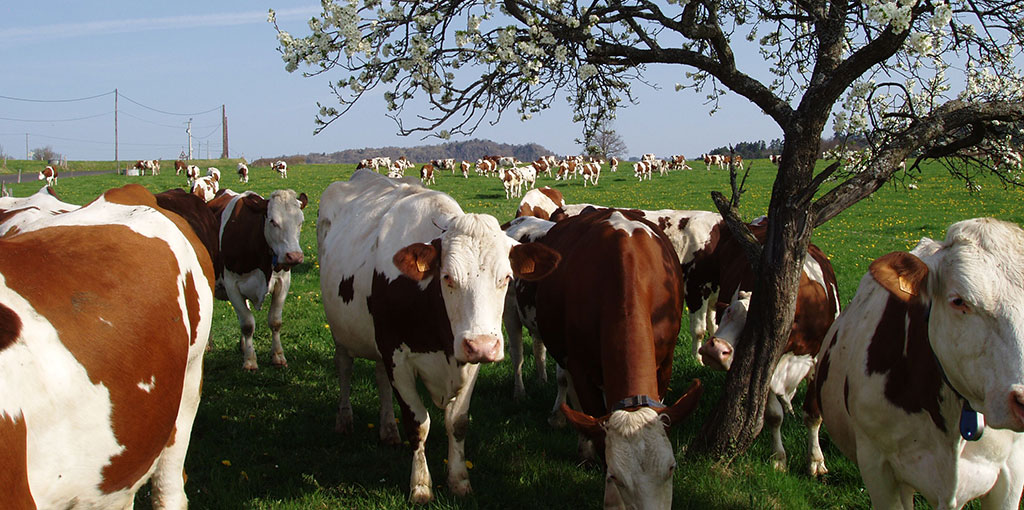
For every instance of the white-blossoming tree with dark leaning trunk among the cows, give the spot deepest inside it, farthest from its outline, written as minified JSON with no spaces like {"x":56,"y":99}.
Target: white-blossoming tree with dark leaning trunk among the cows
{"x":920,"y":78}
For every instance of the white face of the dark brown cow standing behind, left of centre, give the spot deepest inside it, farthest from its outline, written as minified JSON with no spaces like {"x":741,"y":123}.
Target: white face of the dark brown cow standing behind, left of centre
{"x":283,"y":226}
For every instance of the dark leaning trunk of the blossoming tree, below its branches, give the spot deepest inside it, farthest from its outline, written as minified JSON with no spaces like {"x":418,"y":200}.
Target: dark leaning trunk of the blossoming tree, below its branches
{"x":739,"y":417}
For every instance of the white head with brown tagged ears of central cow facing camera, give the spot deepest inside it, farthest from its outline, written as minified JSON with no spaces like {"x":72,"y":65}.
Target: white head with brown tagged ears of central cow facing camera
{"x":476,"y":263}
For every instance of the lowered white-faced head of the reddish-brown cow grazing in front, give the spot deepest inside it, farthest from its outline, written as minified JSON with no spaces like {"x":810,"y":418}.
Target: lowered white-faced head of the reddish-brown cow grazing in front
{"x":638,"y":456}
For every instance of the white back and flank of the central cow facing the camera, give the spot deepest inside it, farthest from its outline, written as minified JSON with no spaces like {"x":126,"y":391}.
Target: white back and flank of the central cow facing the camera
{"x":362,"y":224}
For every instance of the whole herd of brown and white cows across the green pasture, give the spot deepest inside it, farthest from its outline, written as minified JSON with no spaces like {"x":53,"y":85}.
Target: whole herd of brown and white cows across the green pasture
{"x":920,"y":380}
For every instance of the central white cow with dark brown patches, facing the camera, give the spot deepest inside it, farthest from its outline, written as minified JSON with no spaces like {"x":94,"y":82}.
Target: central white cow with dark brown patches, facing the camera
{"x":413,"y":283}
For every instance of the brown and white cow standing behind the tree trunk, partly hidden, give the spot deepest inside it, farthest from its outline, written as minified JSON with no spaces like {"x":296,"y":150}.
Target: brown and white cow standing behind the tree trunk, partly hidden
{"x":818,"y":306}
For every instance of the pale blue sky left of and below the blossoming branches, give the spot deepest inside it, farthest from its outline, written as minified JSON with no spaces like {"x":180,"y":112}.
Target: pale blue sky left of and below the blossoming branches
{"x":193,"y":57}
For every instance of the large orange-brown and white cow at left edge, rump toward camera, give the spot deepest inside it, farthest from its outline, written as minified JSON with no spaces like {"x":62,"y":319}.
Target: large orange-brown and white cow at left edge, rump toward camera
{"x":100,"y":395}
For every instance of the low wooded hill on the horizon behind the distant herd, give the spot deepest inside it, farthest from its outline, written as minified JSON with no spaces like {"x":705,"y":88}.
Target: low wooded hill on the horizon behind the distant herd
{"x":470,"y":151}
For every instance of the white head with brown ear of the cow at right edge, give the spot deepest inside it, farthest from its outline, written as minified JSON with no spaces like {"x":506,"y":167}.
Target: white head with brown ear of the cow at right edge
{"x":973,"y":285}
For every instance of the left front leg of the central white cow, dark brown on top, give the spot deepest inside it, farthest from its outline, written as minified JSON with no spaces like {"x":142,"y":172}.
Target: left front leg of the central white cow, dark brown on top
{"x":417,"y":423}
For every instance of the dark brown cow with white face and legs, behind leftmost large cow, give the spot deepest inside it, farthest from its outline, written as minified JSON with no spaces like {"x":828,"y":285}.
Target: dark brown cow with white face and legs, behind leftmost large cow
{"x":260,"y":245}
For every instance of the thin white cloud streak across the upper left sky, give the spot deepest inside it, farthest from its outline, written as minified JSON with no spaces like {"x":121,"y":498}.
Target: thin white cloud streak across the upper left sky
{"x":91,"y":29}
